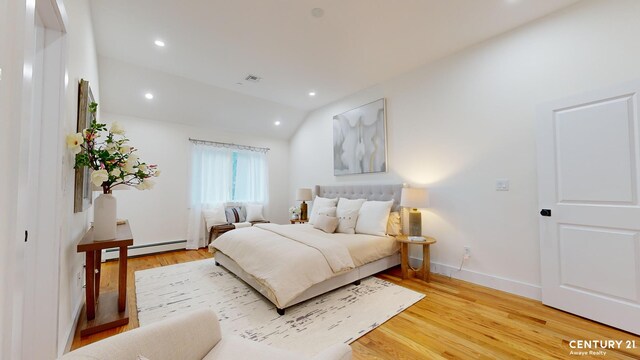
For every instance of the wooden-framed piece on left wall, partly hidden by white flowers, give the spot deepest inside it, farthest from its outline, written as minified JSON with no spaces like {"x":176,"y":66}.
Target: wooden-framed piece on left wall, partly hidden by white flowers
{"x":82,"y":193}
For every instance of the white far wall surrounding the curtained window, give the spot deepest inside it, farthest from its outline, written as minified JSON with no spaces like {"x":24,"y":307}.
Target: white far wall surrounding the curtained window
{"x":161,"y":214}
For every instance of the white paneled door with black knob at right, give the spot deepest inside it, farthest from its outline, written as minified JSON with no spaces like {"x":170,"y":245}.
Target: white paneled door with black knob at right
{"x":590,"y":215}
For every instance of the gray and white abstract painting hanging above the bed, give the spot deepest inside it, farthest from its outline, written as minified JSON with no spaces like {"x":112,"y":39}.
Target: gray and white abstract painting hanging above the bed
{"x":360,"y":140}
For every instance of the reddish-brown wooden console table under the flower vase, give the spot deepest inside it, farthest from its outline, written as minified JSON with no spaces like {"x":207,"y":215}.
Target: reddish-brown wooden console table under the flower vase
{"x":107,"y":310}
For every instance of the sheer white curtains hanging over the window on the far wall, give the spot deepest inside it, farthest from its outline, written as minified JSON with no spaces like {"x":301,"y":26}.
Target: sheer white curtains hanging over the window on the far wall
{"x":213,"y":171}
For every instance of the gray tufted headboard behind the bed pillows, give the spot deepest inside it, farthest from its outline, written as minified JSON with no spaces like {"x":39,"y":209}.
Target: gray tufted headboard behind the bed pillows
{"x":369,"y":192}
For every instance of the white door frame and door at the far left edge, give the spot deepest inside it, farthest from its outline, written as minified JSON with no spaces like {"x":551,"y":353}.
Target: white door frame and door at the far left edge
{"x":29,"y":326}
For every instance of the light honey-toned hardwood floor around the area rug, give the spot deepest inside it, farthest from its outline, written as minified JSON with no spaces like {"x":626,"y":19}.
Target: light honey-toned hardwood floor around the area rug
{"x":456,"y":320}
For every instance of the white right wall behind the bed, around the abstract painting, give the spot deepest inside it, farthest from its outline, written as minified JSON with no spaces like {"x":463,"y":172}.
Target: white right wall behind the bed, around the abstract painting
{"x":458,"y":124}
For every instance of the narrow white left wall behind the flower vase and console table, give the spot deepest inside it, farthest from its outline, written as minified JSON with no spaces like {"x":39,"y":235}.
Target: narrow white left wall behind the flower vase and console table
{"x":82,"y":64}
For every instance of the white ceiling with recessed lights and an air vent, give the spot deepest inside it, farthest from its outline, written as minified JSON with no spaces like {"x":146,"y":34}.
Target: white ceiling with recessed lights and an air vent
{"x":212,"y":45}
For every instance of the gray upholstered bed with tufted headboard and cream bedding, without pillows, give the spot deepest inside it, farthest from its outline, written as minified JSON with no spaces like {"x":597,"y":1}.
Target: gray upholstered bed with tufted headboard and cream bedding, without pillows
{"x":289,"y":264}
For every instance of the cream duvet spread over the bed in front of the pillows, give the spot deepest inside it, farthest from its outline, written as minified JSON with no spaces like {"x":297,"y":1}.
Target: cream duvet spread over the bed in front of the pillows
{"x":289,"y":259}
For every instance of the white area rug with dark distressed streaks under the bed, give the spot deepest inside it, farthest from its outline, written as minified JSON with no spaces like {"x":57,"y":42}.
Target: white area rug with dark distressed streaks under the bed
{"x":340,"y":316}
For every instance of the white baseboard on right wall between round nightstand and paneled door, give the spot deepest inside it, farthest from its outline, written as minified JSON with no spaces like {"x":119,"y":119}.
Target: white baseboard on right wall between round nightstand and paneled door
{"x":495,"y":282}
